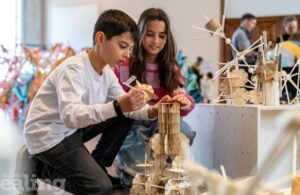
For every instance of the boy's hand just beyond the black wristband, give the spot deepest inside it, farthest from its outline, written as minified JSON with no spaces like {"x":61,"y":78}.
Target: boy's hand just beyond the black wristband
{"x":132,"y":101}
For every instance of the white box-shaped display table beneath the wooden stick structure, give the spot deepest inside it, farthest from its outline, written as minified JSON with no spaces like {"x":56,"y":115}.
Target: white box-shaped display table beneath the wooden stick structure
{"x":239,"y":137}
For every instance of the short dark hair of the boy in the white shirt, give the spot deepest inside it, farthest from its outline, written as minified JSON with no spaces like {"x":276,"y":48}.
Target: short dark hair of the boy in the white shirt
{"x":115,"y":22}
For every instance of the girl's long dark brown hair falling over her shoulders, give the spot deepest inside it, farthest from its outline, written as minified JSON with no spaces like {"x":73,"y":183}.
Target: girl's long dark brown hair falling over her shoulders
{"x":166,"y":60}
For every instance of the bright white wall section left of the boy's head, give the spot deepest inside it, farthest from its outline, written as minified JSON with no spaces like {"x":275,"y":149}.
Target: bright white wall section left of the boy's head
{"x":70,"y":22}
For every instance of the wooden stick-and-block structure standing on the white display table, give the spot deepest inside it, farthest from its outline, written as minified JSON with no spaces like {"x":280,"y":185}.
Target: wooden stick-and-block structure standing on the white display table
{"x":268,"y":81}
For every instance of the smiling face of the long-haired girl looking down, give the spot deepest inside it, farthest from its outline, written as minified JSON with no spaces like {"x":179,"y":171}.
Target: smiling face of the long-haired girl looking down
{"x":155,"y":37}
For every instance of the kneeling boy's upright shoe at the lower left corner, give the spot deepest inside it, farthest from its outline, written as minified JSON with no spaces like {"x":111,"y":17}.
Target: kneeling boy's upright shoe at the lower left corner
{"x":24,"y":177}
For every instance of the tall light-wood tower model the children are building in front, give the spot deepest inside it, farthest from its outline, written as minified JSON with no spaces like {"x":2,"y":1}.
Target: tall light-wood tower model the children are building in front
{"x":160,"y":177}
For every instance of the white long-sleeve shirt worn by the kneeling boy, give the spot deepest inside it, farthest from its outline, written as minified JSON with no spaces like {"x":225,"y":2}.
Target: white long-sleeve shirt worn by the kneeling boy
{"x":73,"y":96}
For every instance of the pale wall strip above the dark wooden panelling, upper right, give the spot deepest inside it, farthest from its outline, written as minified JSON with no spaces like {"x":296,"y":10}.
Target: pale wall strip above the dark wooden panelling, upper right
{"x":236,"y":8}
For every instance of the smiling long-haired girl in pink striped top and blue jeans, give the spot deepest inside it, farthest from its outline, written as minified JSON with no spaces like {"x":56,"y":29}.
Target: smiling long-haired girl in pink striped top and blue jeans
{"x":153,"y":63}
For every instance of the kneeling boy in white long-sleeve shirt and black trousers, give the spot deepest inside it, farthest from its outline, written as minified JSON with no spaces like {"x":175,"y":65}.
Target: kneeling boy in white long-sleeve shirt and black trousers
{"x":80,"y":99}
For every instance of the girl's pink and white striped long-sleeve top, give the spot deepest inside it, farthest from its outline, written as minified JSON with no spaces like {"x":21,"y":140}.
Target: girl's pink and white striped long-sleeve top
{"x":152,"y":77}
